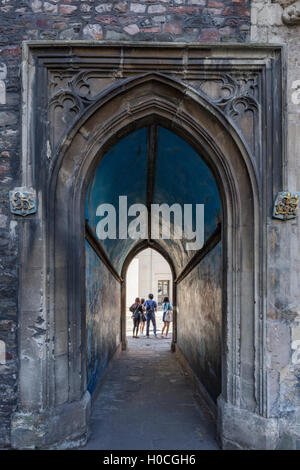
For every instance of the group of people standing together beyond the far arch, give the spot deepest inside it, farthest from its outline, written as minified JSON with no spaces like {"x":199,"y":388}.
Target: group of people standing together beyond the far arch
{"x":143,"y":312}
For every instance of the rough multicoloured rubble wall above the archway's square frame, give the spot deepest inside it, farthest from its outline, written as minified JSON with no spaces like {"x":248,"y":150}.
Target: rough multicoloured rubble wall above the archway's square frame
{"x":159,"y":20}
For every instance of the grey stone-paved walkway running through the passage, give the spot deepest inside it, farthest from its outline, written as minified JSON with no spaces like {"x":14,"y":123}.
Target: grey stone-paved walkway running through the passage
{"x":147,"y":402}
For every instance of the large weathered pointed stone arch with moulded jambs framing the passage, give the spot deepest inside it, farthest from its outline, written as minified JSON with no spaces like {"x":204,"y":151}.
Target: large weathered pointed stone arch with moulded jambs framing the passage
{"x":52,"y":374}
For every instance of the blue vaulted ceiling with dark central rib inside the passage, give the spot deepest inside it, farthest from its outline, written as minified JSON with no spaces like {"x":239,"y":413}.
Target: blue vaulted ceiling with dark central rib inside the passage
{"x":153,"y":165}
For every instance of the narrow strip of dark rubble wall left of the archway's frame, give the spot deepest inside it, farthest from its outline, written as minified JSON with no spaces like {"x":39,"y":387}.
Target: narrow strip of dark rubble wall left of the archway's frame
{"x":9,"y":232}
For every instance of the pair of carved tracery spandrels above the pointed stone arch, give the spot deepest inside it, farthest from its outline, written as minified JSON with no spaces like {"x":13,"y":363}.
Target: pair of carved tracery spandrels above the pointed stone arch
{"x":85,"y":88}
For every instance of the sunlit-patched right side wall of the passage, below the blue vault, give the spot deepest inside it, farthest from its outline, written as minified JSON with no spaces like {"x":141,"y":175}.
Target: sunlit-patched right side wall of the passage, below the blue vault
{"x":199,"y":300}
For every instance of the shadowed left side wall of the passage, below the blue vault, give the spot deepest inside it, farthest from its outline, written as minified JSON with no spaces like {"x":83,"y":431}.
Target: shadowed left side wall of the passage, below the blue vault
{"x":103,"y":303}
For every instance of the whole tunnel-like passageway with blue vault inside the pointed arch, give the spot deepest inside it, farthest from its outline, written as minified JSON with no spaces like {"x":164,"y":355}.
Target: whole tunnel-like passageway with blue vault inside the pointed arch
{"x":146,"y":400}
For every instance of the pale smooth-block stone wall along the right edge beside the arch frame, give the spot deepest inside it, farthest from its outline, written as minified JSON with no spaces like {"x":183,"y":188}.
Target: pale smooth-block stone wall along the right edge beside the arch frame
{"x":275,"y":22}
